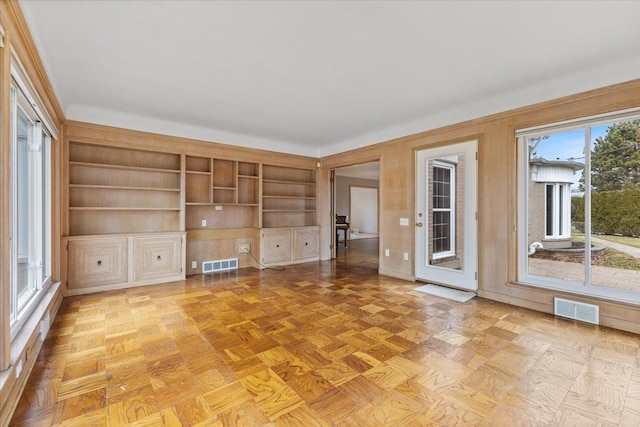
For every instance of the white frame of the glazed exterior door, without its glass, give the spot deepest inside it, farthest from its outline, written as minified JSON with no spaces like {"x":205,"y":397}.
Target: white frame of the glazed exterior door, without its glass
{"x":466,"y":276}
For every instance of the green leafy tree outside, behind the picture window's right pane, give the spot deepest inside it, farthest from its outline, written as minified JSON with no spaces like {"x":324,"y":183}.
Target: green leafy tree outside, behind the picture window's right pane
{"x":615,"y":158}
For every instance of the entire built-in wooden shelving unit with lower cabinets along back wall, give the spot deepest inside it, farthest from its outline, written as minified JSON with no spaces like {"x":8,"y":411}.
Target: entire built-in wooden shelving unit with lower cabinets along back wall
{"x":131,"y":204}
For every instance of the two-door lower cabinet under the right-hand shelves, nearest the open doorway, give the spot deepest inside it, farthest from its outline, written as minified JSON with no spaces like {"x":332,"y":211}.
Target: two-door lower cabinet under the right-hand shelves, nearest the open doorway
{"x":280,"y":246}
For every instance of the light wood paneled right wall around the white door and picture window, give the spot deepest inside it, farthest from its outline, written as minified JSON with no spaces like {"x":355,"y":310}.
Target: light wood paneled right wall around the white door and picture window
{"x":497,"y":194}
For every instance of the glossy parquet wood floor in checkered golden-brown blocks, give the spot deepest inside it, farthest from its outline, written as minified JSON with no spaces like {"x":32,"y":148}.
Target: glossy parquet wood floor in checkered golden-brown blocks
{"x":323,"y":344}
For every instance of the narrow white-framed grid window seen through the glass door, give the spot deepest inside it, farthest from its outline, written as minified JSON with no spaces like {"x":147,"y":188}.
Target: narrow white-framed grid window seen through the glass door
{"x":443,"y":210}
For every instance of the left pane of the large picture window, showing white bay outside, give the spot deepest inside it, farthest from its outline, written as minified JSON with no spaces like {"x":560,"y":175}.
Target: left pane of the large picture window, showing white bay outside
{"x":555,"y":163}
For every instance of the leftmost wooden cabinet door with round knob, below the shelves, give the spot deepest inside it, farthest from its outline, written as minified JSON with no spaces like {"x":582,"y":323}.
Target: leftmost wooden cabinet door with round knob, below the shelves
{"x":97,"y":262}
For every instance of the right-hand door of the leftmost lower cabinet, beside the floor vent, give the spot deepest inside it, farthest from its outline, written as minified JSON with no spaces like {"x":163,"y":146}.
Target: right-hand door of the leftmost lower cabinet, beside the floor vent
{"x":157,"y":257}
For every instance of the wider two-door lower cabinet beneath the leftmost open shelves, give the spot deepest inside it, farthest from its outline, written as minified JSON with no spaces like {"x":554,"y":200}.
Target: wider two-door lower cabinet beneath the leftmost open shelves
{"x":100,"y":263}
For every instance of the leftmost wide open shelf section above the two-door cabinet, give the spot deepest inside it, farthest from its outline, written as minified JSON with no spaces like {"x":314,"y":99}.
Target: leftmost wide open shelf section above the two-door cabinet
{"x":118,"y":190}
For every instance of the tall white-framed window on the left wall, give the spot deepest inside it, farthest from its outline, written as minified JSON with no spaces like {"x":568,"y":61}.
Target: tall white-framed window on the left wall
{"x":30,"y":206}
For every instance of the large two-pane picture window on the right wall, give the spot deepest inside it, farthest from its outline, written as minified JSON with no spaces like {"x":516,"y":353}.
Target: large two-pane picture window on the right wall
{"x":579,"y":188}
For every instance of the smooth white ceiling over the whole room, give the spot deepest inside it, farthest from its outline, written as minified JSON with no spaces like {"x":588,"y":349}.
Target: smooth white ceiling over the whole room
{"x":318,"y":78}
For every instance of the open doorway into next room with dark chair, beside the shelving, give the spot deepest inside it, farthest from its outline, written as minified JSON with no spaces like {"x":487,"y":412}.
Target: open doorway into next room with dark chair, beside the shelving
{"x":356,"y":207}
